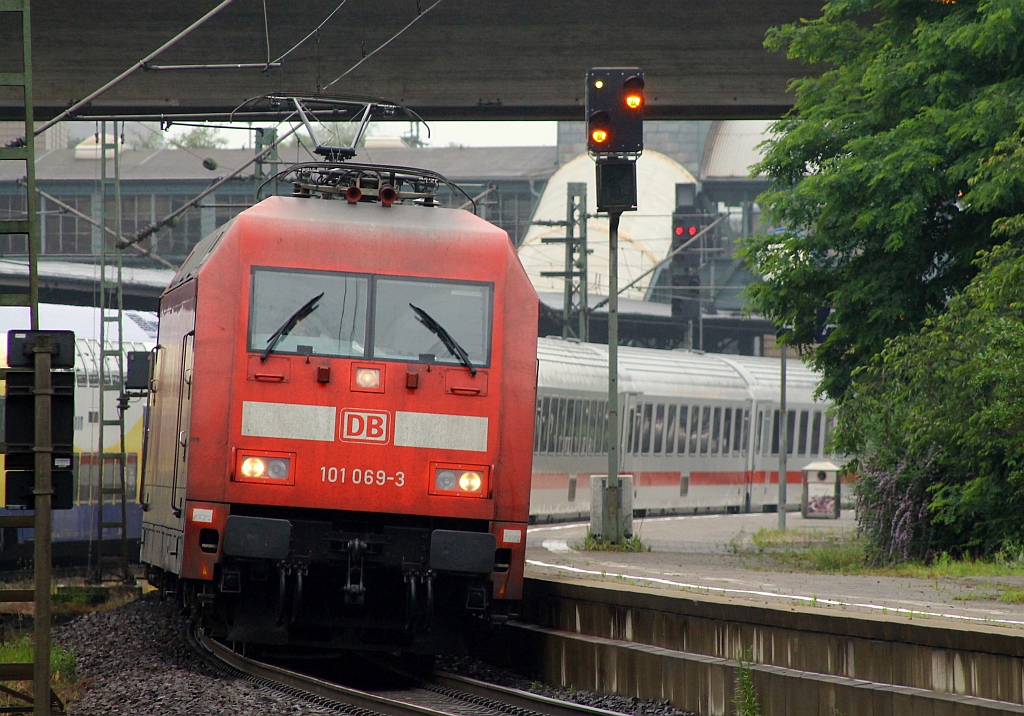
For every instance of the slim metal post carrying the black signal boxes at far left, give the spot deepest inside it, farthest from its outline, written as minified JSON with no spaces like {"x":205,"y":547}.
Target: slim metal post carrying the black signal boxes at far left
{"x":44,"y":489}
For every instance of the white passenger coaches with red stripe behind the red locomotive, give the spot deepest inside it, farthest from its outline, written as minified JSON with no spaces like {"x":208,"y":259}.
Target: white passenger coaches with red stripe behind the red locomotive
{"x":700,"y":432}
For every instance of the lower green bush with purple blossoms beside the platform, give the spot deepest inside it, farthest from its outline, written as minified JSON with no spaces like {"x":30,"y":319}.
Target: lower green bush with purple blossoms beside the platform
{"x":938,"y":418}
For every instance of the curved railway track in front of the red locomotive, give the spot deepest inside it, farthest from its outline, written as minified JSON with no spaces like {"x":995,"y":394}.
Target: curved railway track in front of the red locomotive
{"x":440,"y":695}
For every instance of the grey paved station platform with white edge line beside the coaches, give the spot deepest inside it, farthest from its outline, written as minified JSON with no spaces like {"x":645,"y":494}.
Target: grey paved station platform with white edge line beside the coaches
{"x":715,"y":556}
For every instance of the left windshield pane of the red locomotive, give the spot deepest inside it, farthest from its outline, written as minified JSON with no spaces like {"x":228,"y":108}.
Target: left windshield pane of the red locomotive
{"x":336,"y":327}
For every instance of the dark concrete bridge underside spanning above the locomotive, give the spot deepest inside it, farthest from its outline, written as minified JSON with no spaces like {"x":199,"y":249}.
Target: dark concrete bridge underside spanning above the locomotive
{"x":463,"y":60}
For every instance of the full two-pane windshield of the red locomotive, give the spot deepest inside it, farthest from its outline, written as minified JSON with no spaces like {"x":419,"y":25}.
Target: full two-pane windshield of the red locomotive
{"x":337,"y":326}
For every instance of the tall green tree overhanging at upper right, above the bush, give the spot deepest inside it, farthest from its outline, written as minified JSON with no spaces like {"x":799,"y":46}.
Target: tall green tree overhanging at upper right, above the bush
{"x":891,"y":170}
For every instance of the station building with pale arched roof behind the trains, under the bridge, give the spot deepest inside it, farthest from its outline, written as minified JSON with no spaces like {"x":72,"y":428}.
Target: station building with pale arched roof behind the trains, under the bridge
{"x":508,"y":185}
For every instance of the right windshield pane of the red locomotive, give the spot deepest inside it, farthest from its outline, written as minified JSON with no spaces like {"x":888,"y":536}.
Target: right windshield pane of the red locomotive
{"x":462,"y":309}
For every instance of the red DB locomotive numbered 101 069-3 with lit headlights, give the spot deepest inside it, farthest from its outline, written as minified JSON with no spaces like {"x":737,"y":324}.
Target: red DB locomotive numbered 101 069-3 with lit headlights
{"x":343,"y":413}
